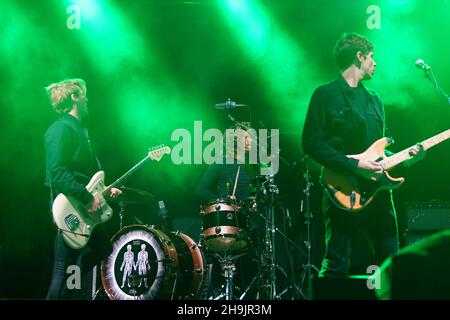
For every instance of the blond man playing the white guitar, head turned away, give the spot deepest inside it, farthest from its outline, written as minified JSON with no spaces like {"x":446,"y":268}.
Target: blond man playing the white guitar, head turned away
{"x":70,"y":163}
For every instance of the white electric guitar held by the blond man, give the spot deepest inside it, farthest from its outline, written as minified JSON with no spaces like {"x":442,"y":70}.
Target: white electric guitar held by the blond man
{"x":73,"y":219}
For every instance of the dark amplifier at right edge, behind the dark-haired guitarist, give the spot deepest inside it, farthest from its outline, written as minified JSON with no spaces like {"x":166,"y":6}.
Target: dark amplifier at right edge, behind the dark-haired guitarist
{"x":427,"y":216}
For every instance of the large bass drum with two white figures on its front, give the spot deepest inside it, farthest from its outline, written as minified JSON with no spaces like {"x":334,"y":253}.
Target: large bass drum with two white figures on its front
{"x":149,"y":264}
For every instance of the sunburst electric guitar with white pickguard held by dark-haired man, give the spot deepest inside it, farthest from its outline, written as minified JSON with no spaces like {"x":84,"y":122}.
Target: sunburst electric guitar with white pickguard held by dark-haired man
{"x":353,"y":193}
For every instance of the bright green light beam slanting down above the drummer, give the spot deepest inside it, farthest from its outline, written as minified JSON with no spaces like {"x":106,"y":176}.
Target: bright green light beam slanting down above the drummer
{"x":280,"y":59}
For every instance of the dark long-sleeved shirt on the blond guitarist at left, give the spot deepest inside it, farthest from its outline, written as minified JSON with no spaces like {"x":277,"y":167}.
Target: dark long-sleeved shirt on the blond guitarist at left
{"x":70,"y":162}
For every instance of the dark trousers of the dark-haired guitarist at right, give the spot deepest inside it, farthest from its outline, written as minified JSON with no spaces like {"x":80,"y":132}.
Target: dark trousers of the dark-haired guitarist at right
{"x":373,"y":231}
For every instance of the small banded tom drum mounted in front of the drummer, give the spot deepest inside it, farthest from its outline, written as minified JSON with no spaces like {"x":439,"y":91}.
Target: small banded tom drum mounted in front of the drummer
{"x":223,"y":227}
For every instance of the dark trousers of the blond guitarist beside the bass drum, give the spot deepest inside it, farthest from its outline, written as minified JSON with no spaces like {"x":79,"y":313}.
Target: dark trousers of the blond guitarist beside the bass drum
{"x":98,"y":248}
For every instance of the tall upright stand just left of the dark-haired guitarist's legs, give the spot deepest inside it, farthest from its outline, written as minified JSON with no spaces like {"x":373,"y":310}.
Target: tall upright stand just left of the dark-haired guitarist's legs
{"x":306,"y":275}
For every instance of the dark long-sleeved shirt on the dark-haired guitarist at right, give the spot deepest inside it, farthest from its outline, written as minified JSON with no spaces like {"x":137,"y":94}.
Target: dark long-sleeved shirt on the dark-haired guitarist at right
{"x":341,"y":120}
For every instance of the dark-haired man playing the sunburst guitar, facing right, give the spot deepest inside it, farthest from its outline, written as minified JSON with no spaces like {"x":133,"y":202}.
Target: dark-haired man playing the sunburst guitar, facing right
{"x":344,"y":117}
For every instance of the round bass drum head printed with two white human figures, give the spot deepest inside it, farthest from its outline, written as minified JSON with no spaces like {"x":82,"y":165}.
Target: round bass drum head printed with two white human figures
{"x":137,"y":269}
